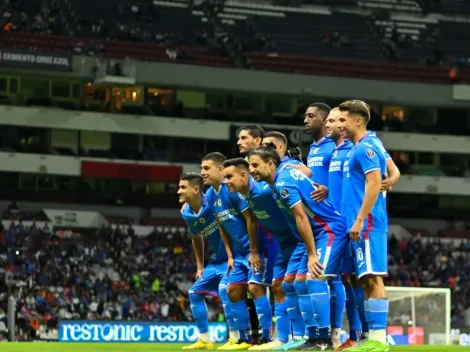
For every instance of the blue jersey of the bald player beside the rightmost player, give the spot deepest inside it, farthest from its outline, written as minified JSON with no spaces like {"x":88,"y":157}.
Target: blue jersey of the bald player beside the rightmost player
{"x":335,"y":174}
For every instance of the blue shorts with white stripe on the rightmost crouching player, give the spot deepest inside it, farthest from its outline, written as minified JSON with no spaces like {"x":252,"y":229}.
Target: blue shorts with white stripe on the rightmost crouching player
{"x":330,"y":250}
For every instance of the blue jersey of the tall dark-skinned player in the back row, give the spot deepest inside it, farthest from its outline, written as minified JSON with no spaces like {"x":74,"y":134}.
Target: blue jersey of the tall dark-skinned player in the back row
{"x":318,"y":159}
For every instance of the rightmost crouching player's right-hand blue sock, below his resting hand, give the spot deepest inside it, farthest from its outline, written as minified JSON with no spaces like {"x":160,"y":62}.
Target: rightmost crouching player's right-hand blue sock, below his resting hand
{"x":319,"y":294}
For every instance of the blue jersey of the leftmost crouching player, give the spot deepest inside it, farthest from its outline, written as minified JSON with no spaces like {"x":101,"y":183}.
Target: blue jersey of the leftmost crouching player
{"x":204,"y":224}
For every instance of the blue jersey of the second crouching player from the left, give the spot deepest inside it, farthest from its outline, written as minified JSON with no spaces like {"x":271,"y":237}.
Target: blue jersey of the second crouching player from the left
{"x":228,"y":208}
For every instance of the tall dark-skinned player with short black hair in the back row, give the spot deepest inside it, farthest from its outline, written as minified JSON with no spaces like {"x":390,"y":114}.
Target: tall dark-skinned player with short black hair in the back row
{"x":319,"y":157}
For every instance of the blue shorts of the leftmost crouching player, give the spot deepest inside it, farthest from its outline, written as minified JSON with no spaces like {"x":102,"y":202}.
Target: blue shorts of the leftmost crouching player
{"x":213,"y":278}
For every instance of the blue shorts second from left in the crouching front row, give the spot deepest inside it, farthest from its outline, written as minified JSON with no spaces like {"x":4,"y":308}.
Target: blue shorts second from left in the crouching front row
{"x":244,"y":274}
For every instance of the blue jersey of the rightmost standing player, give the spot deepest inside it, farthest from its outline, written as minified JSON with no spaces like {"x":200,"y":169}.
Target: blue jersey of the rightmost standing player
{"x":366,"y":156}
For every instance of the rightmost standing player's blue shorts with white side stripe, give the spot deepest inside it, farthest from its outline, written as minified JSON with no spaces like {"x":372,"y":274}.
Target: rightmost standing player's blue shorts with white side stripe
{"x":371,"y":254}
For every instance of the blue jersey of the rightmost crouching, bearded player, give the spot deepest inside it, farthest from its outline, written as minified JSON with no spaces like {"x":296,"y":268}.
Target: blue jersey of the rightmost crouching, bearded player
{"x":293,"y":187}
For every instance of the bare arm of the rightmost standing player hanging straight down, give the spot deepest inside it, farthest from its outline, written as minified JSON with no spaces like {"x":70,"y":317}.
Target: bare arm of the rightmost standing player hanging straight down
{"x":373,"y":186}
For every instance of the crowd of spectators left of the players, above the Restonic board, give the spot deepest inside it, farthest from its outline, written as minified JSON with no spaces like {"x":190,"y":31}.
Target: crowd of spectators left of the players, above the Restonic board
{"x":110,"y":275}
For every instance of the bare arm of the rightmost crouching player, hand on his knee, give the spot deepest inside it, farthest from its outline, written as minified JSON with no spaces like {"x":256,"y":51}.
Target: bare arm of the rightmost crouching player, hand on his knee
{"x":305,"y":230}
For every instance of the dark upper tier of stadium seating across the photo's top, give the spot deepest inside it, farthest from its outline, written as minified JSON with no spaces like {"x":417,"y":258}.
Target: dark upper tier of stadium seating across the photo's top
{"x":173,"y":30}
